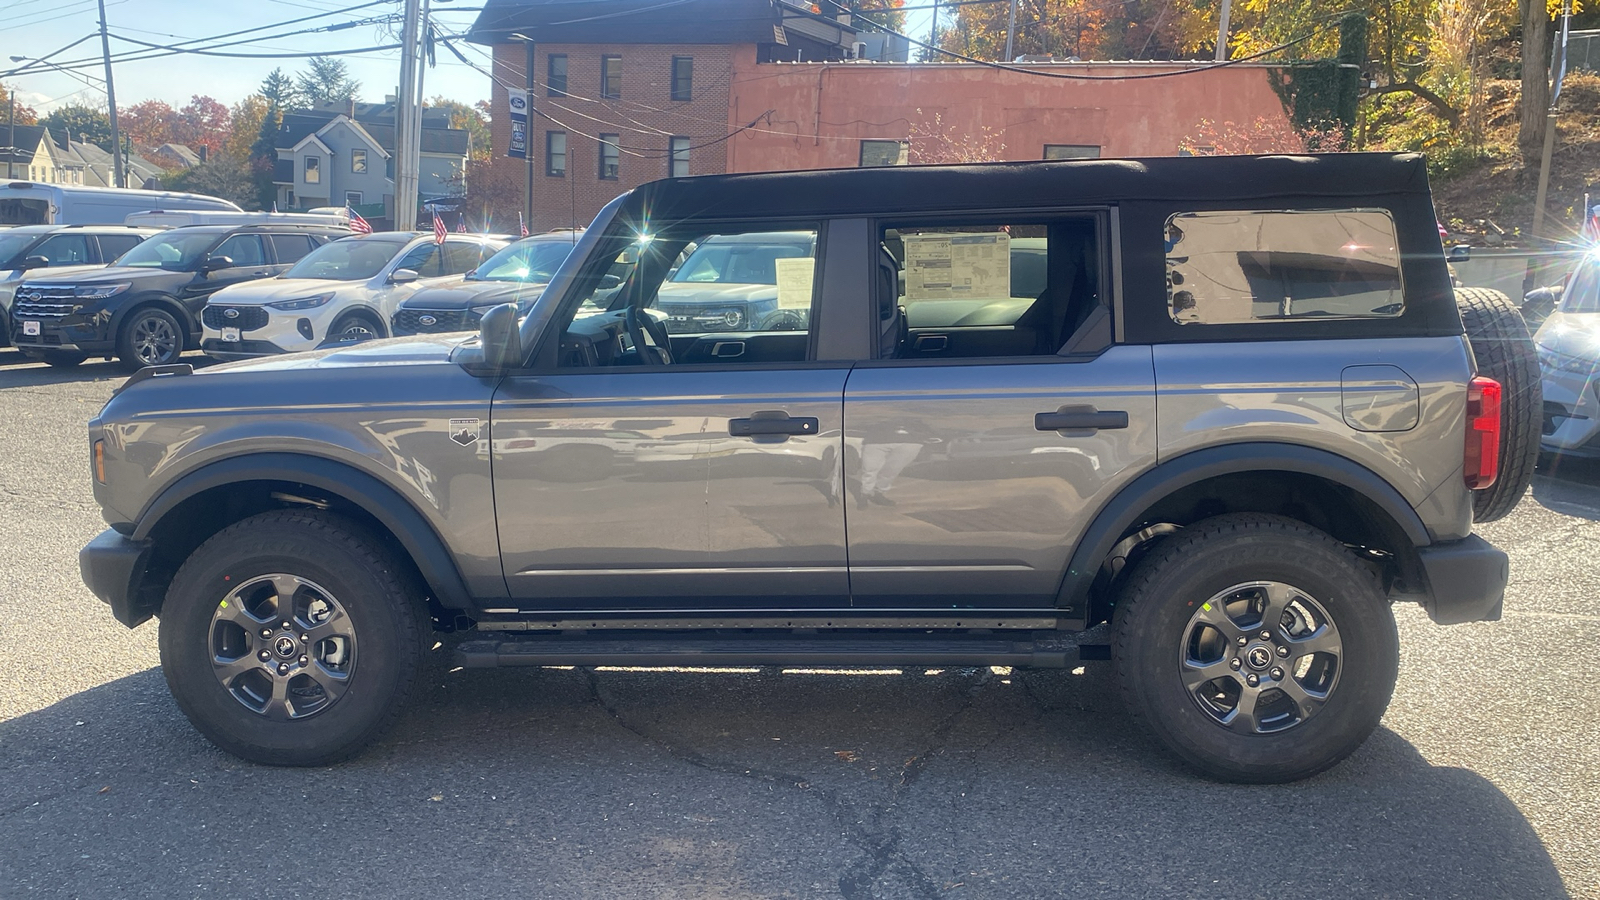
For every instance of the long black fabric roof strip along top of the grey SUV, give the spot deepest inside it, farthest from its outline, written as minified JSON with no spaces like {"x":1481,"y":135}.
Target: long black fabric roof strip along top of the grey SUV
{"x":1023,"y":185}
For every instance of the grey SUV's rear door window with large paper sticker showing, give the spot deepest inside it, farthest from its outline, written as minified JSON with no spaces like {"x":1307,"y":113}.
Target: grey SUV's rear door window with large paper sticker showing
{"x":996,"y":291}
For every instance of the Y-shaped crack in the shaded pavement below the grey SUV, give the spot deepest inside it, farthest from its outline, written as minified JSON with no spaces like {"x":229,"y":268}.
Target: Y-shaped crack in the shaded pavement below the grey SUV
{"x":879,"y":843}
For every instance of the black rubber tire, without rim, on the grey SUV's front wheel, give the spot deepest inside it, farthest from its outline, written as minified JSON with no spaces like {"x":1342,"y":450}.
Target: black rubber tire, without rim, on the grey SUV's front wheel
{"x":377,"y":593}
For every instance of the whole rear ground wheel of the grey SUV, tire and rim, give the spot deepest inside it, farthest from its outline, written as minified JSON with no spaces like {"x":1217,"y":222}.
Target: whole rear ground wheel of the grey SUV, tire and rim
{"x":1255,"y":648}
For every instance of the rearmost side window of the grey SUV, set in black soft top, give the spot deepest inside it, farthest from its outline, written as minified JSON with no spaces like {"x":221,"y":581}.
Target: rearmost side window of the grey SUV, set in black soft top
{"x":1226,"y":268}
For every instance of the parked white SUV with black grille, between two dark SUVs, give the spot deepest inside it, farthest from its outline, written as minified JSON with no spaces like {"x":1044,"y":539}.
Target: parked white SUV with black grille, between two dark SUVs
{"x":345,"y":291}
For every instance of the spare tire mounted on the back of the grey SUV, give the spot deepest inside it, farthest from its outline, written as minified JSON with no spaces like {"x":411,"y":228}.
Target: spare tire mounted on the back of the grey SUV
{"x":1505,"y":352}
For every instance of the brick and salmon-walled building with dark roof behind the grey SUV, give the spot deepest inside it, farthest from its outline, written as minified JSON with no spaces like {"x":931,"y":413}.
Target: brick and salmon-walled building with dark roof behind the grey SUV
{"x":626,"y":92}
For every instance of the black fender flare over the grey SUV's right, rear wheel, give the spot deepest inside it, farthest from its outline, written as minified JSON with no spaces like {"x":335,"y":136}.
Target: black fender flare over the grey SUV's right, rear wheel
{"x":1124,"y":510}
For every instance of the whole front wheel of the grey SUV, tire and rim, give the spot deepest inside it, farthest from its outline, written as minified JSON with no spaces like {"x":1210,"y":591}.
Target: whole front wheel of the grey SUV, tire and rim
{"x":292,"y":638}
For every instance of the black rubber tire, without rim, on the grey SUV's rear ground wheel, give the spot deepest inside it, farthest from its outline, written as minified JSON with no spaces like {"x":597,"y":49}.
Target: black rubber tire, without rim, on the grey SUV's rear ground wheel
{"x":1185,"y":573}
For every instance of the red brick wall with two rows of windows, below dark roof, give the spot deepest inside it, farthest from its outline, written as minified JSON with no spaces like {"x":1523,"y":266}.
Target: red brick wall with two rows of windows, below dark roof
{"x":646,"y":119}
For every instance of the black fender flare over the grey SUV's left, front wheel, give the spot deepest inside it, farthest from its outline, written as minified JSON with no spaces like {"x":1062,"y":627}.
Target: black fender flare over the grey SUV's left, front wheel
{"x":382,"y":502}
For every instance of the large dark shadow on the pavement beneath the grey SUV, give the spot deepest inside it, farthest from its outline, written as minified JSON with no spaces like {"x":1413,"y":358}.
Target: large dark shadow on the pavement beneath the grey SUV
{"x":628,"y":784}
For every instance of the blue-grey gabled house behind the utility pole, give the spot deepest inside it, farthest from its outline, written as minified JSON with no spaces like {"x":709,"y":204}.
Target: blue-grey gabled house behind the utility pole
{"x":345,"y":158}
